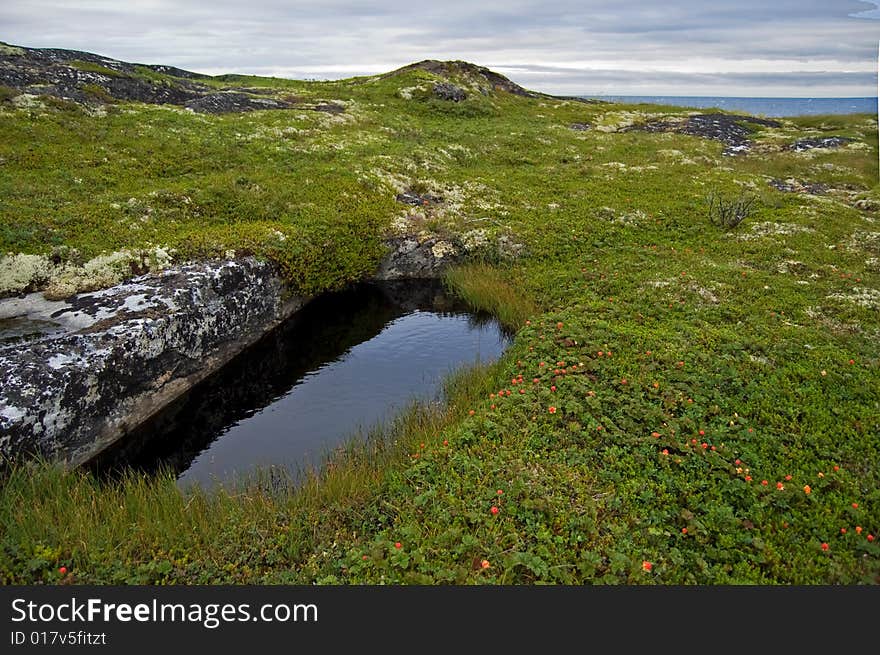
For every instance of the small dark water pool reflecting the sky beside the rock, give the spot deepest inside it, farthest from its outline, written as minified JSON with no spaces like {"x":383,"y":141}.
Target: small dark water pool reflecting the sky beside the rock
{"x":345,"y":363}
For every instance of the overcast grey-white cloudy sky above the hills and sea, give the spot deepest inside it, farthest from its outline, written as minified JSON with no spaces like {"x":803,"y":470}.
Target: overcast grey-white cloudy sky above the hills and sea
{"x":808,"y":48}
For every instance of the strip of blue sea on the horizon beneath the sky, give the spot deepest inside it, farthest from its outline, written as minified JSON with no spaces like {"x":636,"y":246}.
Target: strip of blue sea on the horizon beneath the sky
{"x":775,"y":107}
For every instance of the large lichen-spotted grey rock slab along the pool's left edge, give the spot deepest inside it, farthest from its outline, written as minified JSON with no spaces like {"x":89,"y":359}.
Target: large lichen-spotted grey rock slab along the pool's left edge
{"x":97,"y":365}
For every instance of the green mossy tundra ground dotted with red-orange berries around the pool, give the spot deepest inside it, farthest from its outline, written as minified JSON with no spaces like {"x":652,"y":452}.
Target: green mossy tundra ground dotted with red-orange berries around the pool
{"x":662,"y":370}
